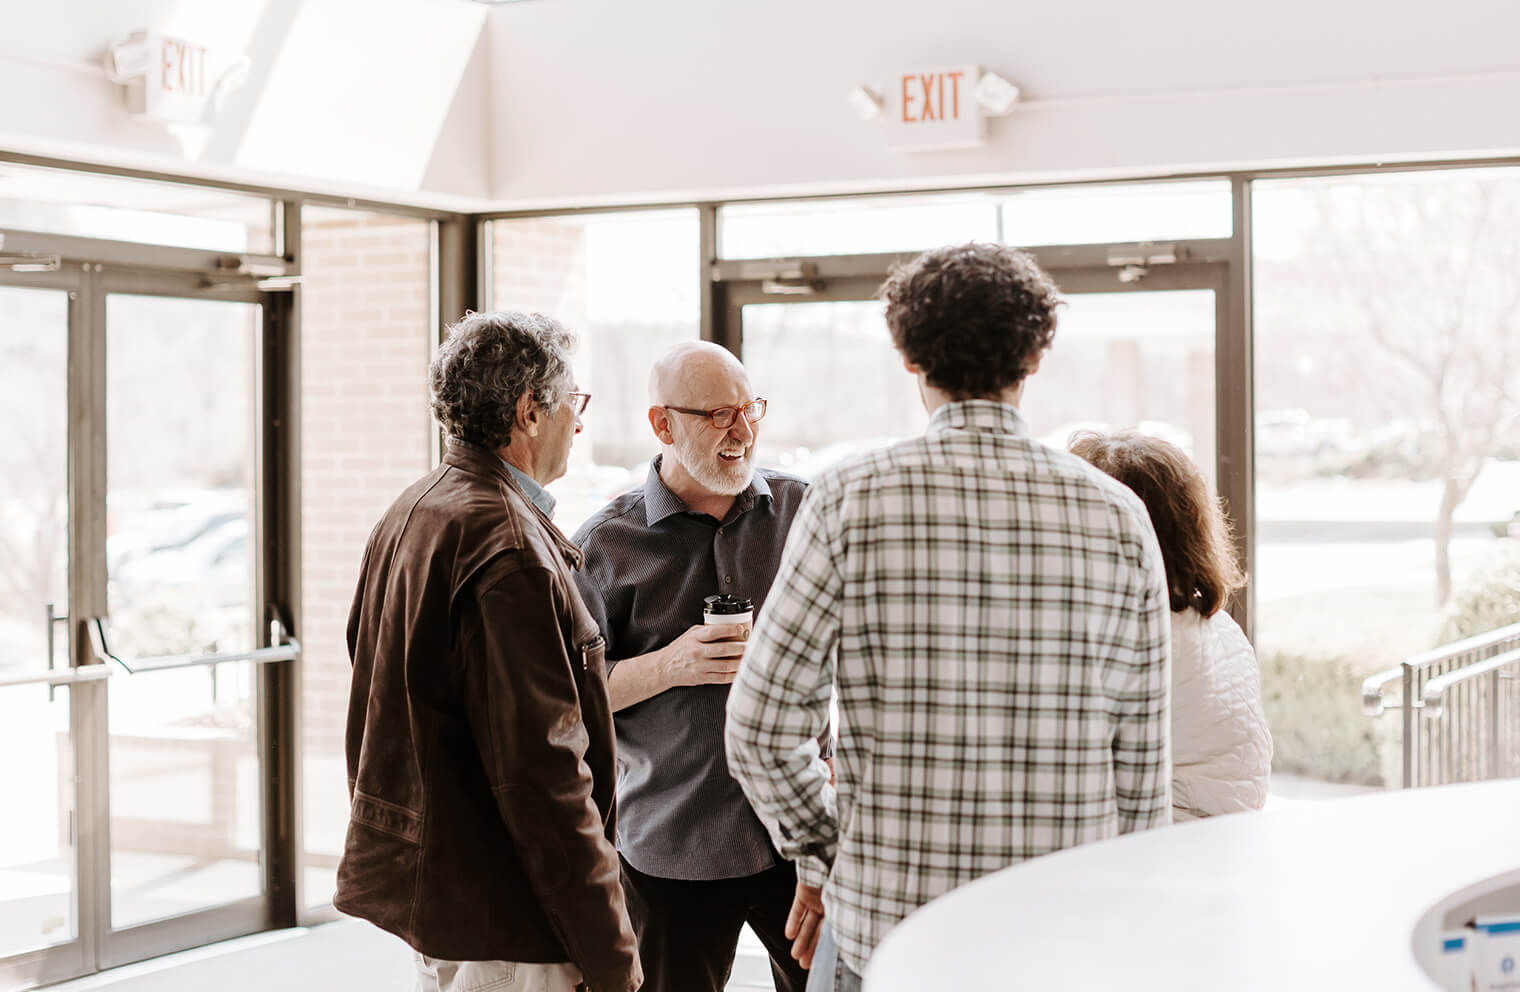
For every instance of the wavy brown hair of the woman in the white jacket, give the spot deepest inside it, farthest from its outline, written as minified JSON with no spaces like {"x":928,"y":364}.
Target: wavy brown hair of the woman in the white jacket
{"x":1202,"y":566}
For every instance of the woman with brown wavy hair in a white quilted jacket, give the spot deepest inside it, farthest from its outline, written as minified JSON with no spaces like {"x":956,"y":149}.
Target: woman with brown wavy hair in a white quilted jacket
{"x":1221,"y":747}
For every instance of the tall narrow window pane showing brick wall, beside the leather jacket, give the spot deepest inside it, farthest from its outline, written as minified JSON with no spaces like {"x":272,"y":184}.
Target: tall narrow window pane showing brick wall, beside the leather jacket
{"x":366,"y":435}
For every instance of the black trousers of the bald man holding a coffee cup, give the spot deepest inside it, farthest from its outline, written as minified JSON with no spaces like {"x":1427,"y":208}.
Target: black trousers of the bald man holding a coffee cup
{"x":689,"y":930}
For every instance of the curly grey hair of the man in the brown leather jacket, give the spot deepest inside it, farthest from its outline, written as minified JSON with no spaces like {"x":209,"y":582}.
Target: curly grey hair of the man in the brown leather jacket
{"x":489,"y":362}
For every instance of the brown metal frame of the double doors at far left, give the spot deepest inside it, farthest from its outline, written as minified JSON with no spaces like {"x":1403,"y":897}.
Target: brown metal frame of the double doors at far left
{"x":276,"y":517}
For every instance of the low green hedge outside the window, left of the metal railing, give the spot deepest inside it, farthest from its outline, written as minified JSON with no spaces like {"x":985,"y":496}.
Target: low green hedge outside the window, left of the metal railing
{"x":1314,"y":709}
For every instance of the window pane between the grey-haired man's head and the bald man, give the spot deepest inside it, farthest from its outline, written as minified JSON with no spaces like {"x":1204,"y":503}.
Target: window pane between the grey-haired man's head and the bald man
{"x":627,"y":285}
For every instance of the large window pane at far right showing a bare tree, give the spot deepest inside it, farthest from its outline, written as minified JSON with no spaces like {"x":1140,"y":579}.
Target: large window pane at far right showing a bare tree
{"x":1387,"y":423}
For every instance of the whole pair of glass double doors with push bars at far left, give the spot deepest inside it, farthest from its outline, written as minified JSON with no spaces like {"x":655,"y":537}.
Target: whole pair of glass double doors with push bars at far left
{"x":138,"y":634}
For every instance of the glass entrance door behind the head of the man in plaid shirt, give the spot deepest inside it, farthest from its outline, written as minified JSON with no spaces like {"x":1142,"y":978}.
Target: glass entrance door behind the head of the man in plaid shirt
{"x":1124,"y":356}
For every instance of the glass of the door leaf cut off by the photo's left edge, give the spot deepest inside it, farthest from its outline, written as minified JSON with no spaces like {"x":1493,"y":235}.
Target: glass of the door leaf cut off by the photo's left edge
{"x":40,"y":892}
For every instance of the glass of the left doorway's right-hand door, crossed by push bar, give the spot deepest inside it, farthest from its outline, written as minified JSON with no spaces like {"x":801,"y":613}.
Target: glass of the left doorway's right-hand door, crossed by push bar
{"x":180,"y":461}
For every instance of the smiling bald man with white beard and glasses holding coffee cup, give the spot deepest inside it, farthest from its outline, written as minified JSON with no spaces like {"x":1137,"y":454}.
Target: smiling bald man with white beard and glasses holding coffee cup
{"x":697,"y":862}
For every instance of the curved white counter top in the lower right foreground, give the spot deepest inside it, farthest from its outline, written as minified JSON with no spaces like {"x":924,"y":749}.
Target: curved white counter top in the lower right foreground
{"x":1325,"y":896}
